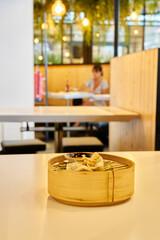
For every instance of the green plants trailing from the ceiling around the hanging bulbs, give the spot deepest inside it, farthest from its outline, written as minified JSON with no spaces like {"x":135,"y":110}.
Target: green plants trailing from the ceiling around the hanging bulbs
{"x":99,"y":12}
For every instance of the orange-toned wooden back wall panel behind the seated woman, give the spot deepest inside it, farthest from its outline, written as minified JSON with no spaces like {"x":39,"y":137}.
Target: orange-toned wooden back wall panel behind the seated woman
{"x":76,"y":75}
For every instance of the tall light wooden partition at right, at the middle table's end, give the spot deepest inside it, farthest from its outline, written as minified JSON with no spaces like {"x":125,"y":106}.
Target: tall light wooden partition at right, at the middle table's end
{"x":134,"y":85}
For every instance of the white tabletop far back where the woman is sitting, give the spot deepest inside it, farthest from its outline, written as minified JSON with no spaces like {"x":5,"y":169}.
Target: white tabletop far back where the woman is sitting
{"x":78,"y":95}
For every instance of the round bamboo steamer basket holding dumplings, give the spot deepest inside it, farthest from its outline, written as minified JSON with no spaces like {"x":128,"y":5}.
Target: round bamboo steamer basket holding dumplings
{"x":92,"y":188}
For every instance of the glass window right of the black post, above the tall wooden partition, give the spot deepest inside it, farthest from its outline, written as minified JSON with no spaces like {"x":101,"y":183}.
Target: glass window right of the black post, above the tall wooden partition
{"x":144,"y":32}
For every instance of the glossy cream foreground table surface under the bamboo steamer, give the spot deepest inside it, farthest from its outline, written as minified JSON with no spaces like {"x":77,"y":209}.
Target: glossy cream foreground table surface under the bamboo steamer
{"x":28,"y":212}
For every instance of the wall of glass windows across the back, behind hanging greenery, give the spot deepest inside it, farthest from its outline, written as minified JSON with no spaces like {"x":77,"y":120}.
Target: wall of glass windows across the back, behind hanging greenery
{"x":66,"y":43}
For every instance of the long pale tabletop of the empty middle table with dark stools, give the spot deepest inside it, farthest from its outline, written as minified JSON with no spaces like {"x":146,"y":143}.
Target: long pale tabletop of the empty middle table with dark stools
{"x":65,"y":114}
